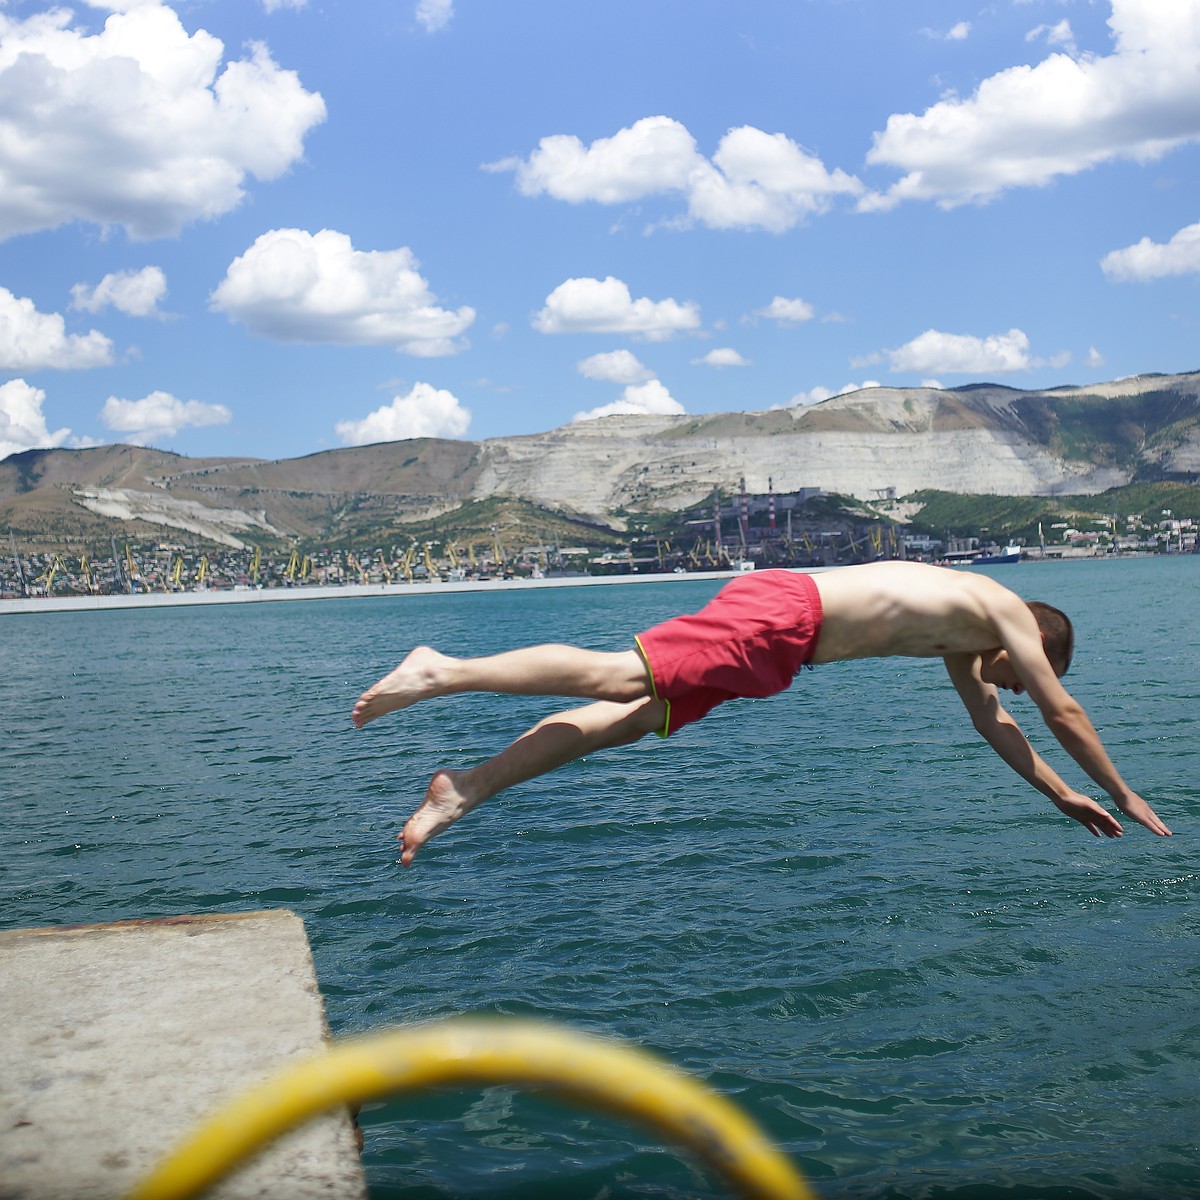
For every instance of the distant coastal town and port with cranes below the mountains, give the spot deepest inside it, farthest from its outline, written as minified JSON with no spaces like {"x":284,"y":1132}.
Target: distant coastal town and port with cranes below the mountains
{"x":741,"y":537}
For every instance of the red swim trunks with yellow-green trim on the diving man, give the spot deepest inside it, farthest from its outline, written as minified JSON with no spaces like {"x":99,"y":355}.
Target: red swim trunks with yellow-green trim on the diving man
{"x":749,"y":640}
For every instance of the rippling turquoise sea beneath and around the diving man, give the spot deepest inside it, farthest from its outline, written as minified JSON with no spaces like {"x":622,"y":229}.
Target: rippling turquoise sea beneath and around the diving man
{"x":836,"y":907}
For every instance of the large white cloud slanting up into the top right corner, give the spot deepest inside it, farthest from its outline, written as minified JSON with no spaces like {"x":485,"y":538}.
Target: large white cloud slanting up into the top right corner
{"x":1029,"y":125}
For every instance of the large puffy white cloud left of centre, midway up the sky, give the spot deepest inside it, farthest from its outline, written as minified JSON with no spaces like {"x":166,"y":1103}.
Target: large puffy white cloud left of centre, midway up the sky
{"x":293,"y":286}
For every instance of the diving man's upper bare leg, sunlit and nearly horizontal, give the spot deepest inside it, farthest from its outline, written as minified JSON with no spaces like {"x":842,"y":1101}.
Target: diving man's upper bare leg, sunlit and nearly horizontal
{"x":537,"y":671}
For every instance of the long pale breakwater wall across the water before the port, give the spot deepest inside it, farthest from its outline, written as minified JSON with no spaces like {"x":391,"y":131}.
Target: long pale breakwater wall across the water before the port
{"x":345,"y":592}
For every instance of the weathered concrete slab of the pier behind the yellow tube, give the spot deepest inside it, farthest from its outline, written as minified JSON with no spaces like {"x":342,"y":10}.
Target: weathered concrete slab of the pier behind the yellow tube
{"x":117,"y":1040}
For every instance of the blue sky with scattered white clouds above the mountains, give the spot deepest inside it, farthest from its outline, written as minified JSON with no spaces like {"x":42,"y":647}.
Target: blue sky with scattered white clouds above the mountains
{"x":272,"y":227}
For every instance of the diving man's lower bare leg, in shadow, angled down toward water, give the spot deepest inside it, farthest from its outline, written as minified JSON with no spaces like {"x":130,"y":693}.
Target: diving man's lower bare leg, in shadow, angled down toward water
{"x":551,"y":743}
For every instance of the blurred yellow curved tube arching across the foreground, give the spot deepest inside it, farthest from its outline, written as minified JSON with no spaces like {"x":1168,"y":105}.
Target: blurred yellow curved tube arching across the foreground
{"x":483,"y":1054}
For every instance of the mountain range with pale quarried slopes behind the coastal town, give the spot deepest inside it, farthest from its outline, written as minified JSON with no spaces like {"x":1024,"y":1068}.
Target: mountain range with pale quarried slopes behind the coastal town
{"x":979,"y":440}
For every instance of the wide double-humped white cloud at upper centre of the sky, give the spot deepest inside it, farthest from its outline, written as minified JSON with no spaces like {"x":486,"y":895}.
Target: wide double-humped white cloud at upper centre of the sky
{"x":755,"y":181}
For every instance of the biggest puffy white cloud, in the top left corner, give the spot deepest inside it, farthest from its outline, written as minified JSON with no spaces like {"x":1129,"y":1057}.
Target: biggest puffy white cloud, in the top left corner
{"x":154,"y":130}
